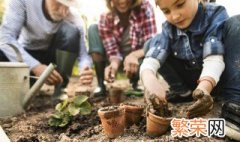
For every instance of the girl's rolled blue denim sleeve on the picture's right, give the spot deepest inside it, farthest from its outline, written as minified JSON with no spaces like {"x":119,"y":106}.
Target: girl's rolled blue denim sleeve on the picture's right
{"x":213,"y":37}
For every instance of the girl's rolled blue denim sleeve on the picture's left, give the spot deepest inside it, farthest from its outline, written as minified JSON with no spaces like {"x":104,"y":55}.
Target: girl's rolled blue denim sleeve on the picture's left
{"x":158,"y":47}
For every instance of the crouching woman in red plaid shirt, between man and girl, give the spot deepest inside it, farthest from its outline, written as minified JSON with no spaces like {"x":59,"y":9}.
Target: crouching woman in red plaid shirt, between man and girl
{"x":119,"y":39}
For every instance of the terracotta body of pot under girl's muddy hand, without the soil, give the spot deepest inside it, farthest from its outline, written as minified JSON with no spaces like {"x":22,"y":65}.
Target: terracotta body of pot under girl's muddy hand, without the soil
{"x":156,"y":125}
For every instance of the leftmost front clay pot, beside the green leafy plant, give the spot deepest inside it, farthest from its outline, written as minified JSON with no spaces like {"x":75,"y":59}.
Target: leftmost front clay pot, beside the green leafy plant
{"x":113,"y":120}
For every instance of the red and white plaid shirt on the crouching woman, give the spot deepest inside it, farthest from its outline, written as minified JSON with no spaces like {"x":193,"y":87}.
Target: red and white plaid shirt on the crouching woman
{"x":142,"y":27}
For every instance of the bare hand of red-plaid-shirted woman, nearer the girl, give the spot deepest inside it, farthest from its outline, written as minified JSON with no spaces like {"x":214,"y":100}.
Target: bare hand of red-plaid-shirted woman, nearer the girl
{"x":131,"y":65}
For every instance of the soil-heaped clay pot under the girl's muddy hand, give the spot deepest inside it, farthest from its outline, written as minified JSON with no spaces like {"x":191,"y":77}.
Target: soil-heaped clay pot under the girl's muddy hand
{"x":158,"y":119}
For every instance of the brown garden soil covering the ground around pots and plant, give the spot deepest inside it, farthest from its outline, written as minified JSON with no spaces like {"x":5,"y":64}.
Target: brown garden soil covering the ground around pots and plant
{"x":32,"y":126}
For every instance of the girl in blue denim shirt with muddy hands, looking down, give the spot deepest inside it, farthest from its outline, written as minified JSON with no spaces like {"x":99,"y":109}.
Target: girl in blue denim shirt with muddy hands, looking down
{"x":195,"y":46}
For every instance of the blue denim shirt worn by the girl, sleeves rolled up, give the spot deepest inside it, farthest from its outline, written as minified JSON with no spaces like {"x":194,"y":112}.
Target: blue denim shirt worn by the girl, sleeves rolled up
{"x":201,"y":39}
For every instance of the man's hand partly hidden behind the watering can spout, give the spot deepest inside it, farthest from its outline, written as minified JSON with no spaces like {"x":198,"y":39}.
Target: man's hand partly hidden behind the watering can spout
{"x":53,"y":79}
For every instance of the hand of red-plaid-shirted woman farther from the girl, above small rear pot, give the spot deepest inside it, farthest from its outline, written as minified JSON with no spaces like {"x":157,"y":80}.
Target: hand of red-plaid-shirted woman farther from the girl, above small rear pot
{"x":111,"y":70}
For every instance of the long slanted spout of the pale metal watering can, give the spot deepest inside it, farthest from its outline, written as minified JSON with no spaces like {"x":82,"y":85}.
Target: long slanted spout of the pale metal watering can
{"x":37,"y":85}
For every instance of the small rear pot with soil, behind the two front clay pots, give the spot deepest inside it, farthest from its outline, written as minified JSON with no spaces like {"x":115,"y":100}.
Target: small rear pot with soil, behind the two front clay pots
{"x":115,"y":94}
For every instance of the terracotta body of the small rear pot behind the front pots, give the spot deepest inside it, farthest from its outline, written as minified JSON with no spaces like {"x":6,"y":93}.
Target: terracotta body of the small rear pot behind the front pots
{"x":115,"y":95}
